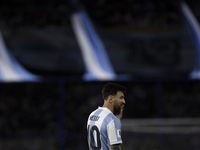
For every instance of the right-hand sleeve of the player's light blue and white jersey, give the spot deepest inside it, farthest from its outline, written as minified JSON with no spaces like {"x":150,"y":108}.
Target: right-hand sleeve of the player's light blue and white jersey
{"x":114,"y":132}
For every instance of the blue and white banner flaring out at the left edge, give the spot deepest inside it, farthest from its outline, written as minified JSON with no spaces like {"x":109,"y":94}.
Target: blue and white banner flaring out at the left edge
{"x":10,"y":69}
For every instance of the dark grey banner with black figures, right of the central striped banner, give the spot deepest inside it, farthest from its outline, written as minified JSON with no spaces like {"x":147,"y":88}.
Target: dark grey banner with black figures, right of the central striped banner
{"x":163,"y":54}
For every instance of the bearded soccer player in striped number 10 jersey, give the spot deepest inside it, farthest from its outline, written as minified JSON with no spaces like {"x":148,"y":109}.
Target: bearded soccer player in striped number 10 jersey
{"x":103,"y":125}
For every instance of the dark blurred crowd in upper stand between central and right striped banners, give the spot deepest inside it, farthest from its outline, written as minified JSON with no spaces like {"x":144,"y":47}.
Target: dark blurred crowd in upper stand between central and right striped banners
{"x":143,"y":13}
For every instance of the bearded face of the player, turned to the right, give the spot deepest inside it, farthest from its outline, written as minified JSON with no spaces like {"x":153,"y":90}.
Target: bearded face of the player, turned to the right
{"x":118,"y":103}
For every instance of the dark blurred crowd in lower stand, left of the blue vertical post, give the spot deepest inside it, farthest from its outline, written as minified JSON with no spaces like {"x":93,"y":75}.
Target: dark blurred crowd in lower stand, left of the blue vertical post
{"x":27,"y":109}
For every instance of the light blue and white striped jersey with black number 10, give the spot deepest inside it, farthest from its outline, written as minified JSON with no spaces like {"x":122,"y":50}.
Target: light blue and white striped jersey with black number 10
{"x":104,"y":129}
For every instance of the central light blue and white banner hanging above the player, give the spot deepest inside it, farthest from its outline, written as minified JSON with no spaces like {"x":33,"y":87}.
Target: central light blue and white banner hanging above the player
{"x":98,"y":66}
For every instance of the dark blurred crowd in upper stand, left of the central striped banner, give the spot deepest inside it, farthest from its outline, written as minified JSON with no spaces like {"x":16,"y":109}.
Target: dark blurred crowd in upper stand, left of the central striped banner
{"x":34,"y":13}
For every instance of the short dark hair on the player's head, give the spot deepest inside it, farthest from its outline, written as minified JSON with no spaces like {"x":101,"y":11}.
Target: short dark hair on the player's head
{"x":112,"y":89}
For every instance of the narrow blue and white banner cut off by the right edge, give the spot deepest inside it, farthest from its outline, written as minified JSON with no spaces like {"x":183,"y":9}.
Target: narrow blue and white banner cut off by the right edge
{"x":194,"y":28}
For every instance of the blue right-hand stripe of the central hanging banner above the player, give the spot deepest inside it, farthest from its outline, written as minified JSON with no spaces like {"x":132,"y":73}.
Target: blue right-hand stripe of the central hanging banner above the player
{"x":96,"y":43}
